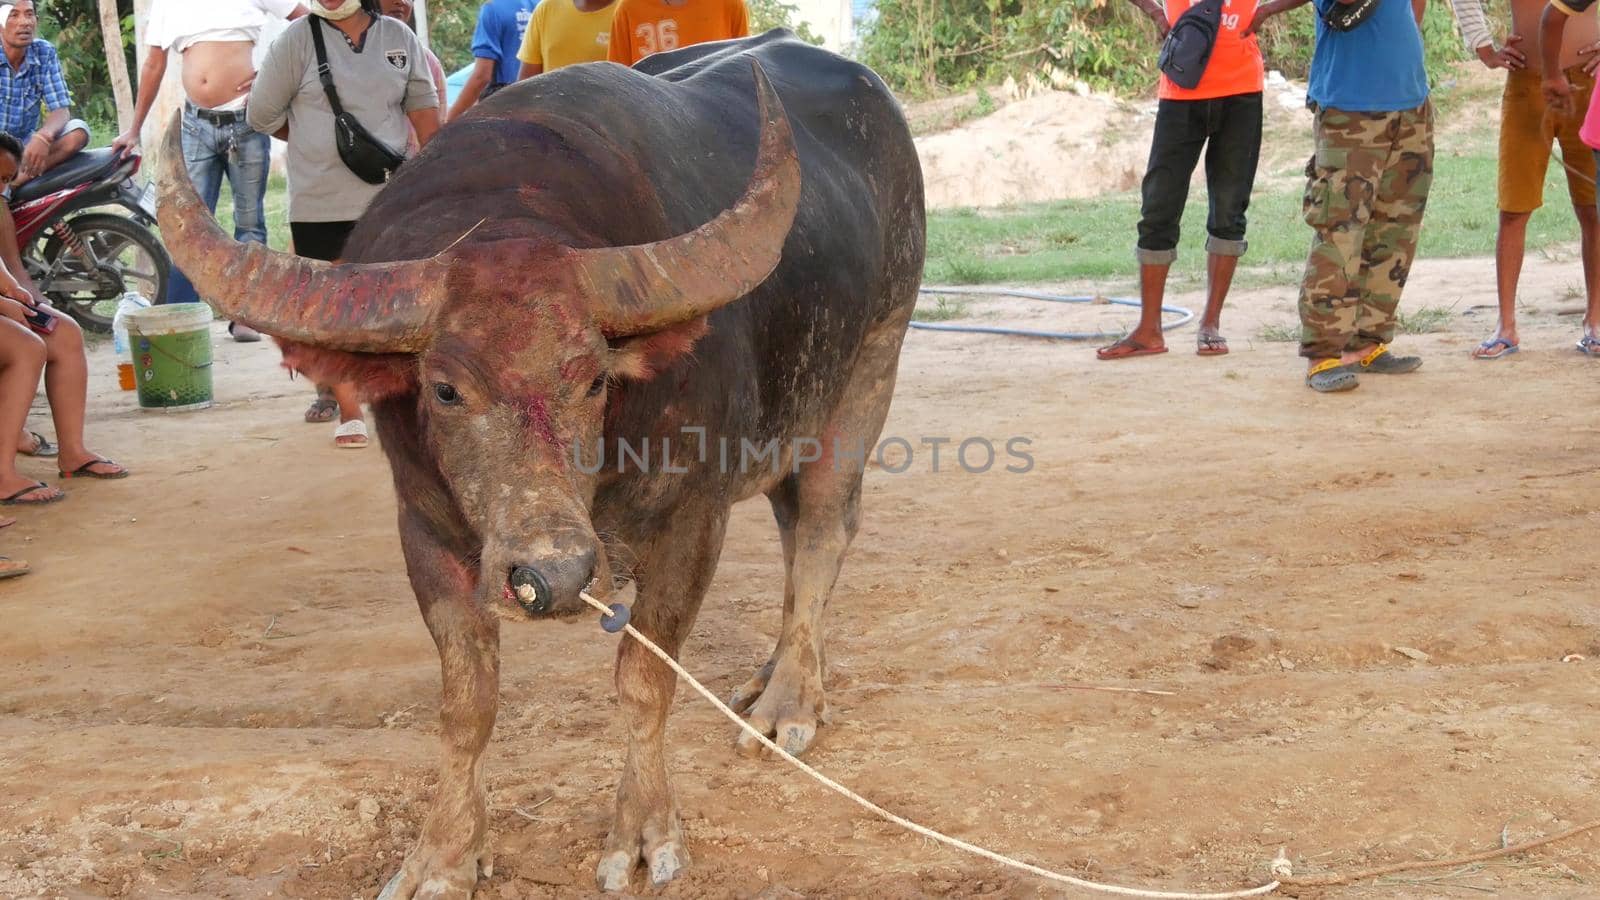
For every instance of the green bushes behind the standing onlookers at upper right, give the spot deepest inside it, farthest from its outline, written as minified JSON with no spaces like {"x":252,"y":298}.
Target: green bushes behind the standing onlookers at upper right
{"x":929,"y":47}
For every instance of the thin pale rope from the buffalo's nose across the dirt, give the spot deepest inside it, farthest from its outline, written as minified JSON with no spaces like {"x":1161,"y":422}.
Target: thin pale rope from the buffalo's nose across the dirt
{"x":1282,"y":872}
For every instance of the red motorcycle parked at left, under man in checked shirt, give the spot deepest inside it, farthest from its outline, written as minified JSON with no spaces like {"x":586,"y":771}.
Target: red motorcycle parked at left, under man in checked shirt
{"x":84,"y":262}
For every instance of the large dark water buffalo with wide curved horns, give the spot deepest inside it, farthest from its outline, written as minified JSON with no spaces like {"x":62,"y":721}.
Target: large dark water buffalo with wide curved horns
{"x":588,"y":260}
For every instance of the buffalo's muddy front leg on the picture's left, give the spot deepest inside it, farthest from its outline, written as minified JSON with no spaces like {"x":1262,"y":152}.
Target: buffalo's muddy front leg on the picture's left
{"x":454,"y":846}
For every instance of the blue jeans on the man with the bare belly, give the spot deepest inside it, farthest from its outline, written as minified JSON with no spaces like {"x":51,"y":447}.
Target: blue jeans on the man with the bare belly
{"x":244,"y":156}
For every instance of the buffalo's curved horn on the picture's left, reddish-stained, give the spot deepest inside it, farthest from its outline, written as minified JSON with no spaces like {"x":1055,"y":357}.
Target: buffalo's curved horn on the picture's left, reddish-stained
{"x":366,"y":308}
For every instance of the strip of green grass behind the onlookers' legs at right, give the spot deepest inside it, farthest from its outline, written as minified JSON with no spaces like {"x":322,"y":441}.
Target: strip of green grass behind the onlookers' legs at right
{"x":1094,"y":239}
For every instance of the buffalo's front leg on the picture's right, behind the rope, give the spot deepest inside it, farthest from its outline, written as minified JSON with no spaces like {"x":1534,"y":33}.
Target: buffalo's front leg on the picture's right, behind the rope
{"x":673,"y":579}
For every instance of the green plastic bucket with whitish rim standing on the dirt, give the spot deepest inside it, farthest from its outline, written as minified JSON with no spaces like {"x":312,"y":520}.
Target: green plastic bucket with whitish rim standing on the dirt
{"x":172,"y":356}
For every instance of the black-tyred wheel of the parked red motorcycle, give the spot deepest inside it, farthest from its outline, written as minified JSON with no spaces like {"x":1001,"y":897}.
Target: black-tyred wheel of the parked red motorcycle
{"x":130,"y":259}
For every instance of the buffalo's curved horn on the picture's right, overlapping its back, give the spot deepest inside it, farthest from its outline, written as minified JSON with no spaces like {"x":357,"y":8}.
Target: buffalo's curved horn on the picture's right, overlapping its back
{"x":654,"y":286}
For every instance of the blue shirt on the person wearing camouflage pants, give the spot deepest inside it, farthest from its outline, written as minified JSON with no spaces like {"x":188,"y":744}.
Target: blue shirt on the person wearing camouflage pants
{"x":1374,"y":68}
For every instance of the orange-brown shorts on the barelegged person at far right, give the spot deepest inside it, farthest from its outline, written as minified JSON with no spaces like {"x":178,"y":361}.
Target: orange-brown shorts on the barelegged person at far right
{"x":1527,"y":135}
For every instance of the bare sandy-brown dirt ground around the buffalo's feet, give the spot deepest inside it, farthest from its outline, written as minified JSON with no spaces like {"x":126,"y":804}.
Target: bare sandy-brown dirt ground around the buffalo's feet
{"x":217,"y":683}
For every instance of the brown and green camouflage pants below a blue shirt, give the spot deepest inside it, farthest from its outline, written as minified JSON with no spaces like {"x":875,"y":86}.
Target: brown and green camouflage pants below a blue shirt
{"x":1366,"y":193}
